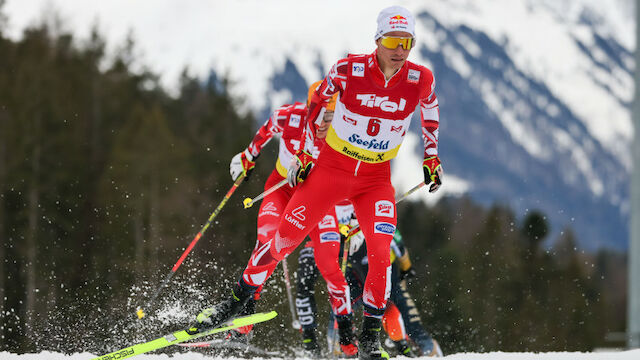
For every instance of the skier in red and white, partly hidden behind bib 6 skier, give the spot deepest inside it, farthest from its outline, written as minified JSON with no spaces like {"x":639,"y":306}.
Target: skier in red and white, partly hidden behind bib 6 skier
{"x":289,"y":121}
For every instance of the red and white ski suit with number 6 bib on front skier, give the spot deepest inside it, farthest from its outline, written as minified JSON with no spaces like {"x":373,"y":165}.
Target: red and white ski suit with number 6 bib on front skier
{"x":371,"y":117}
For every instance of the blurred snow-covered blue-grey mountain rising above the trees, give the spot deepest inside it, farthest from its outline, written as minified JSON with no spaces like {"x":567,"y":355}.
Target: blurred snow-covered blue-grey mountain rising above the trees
{"x":535,"y":94}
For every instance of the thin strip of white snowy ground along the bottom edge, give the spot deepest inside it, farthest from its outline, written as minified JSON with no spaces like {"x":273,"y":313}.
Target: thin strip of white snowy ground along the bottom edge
{"x":623,"y":355}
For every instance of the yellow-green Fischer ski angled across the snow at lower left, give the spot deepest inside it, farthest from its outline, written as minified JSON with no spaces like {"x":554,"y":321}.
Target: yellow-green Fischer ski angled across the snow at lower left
{"x":185,"y":335}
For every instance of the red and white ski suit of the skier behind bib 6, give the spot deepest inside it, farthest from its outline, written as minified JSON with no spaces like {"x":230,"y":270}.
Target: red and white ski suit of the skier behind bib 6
{"x":289,"y":121}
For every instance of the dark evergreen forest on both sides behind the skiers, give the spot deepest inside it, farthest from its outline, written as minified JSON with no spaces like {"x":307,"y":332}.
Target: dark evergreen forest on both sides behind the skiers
{"x":105,"y":178}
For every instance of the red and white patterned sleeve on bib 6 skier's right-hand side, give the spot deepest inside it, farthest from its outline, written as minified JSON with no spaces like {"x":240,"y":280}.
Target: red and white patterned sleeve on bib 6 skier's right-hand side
{"x":430,"y":116}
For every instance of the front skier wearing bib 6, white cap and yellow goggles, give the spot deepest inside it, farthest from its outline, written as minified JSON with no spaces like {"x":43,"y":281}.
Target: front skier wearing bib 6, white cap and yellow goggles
{"x":378,"y":94}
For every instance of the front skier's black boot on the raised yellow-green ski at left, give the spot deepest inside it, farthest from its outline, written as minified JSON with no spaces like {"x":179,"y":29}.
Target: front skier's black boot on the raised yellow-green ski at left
{"x":226,"y":309}
